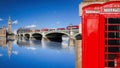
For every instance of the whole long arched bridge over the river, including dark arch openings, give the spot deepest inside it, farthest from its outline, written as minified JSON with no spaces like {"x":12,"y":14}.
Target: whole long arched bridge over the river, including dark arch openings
{"x":52,"y":35}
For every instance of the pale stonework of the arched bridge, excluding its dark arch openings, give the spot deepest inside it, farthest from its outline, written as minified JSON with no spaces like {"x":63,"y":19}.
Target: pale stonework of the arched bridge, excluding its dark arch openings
{"x":70,"y":33}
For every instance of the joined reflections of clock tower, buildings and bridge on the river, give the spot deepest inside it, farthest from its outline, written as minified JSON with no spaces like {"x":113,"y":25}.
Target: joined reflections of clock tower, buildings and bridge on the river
{"x":30,"y":44}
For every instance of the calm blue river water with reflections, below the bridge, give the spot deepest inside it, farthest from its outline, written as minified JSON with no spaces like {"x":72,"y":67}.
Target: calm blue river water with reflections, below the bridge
{"x":23,"y":53}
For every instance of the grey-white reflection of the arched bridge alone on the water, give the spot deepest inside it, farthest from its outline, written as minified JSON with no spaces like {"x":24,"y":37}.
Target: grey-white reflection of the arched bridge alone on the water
{"x":44,"y":44}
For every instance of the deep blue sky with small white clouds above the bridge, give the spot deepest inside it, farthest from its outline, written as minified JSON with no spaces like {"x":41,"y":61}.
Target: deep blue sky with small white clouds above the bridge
{"x":39,"y":13}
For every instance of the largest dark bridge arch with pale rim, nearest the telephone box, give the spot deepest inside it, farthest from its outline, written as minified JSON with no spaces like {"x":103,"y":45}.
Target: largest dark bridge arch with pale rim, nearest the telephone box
{"x":55,"y":36}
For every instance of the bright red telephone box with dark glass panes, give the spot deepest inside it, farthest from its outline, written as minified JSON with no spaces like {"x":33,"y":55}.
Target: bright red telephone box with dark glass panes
{"x":101,"y":35}
